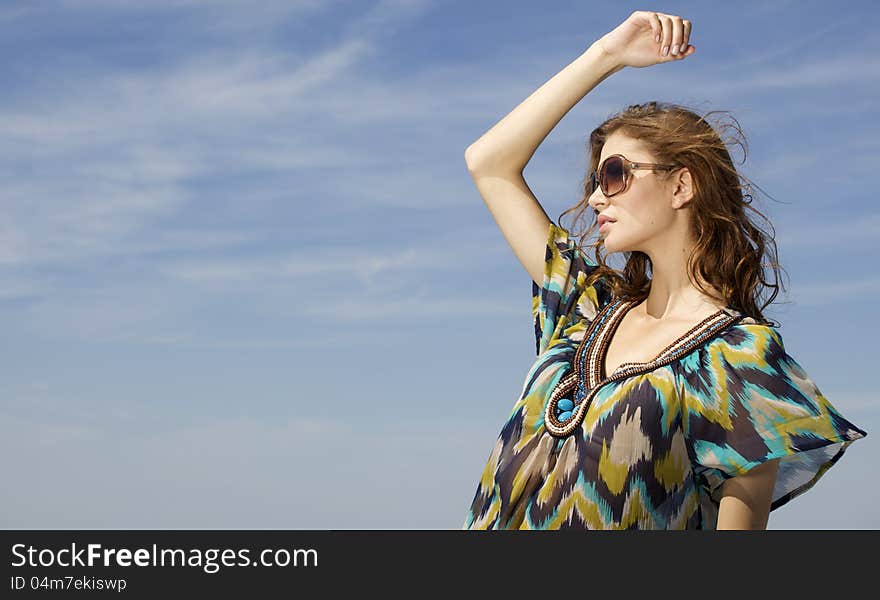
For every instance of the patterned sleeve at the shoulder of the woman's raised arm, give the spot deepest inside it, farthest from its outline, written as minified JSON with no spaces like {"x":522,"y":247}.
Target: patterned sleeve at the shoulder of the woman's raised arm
{"x":564,"y":299}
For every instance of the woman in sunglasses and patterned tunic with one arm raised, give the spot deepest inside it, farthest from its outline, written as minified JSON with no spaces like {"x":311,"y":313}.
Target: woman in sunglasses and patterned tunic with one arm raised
{"x":666,"y":402}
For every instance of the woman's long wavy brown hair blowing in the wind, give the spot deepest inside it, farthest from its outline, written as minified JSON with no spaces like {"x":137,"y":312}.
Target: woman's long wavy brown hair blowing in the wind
{"x":730,"y":248}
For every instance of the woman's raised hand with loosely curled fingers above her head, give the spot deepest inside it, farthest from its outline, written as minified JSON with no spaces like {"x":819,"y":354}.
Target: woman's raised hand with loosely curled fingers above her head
{"x":640,"y":41}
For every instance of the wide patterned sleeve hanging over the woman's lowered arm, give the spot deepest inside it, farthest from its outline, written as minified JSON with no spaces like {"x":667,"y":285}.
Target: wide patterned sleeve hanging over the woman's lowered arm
{"x":746,"y":401}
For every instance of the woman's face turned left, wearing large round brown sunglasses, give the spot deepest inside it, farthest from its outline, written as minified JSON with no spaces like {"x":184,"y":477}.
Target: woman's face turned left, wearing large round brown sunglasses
{"x":642,"y":211}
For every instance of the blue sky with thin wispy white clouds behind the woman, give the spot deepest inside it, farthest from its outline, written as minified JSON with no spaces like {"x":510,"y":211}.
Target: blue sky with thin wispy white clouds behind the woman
{"x":246,"y":280}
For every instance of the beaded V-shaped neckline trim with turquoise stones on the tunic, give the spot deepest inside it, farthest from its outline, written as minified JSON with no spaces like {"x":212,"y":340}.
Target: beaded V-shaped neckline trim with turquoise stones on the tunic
{"x":573,"y":393}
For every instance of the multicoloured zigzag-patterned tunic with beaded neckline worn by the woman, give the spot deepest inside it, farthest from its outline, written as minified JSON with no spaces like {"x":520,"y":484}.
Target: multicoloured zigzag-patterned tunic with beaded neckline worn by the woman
{"x":648,"y":446}
